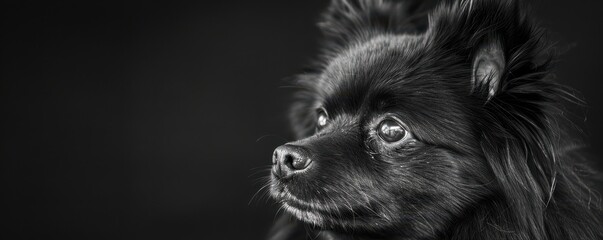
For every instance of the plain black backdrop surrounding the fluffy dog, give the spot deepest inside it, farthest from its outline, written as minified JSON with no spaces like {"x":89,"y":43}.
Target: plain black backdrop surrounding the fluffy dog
{"x":141,"y":120}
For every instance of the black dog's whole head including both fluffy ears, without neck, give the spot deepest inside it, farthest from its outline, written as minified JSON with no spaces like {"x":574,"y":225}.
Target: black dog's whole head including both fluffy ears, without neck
{"x":396,"y":119}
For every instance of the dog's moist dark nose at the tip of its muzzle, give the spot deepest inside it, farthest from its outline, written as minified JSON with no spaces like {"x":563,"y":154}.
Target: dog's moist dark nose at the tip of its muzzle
{"x":289,"y":159}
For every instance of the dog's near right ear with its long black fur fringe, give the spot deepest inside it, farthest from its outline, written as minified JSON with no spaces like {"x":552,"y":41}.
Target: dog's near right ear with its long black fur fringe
{"x":495,"y":38}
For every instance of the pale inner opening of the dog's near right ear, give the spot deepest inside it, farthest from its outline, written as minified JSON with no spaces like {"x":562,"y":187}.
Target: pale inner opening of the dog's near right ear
{"x":487,"y":68}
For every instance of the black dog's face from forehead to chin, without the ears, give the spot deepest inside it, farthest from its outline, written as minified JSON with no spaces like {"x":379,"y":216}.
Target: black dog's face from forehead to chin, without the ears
{"x":391,"y":146}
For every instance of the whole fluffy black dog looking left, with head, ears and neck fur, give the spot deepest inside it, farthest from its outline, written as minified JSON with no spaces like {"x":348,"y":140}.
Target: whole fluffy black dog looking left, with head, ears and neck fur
{"x":438,"y":126}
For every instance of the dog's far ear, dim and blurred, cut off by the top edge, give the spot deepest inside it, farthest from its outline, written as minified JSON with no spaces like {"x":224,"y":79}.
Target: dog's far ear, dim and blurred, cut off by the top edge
{"x":348,"y":21}
